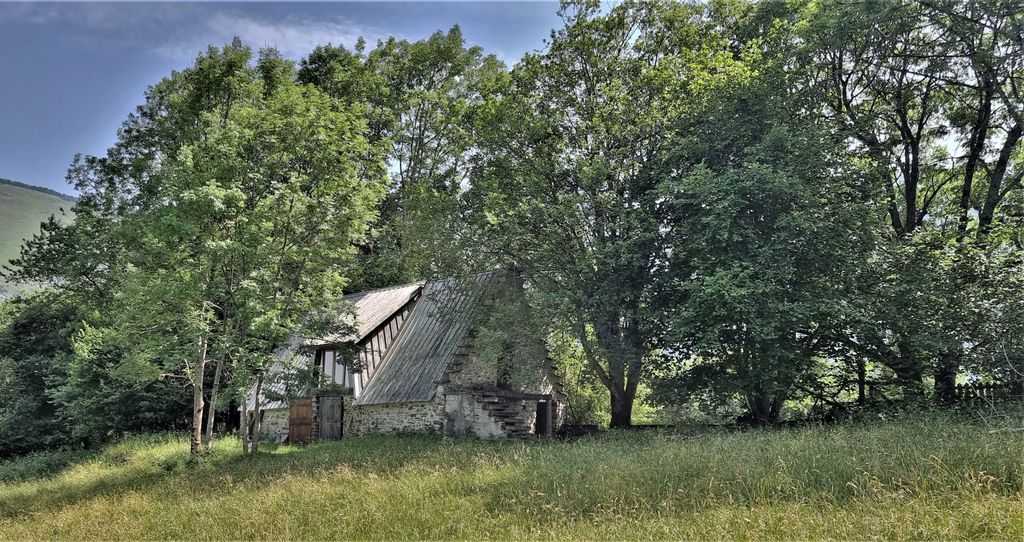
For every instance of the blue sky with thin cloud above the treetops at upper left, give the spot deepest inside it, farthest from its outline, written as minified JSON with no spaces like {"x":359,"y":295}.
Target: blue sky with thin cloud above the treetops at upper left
{"x":71,"y":73}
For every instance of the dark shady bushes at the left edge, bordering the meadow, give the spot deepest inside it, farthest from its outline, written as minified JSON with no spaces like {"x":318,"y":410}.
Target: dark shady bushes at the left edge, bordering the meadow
{"x":51,"y":398}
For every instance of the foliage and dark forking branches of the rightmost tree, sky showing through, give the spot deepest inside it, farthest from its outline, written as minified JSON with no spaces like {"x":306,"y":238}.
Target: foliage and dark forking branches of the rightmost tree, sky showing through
{"x":937,"y":121}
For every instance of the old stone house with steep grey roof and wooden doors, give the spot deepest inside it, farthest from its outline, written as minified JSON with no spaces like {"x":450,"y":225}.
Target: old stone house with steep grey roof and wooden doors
{"x":423,"y":366}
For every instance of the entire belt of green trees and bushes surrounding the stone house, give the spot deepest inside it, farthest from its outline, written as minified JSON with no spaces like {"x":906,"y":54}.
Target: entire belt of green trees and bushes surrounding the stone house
{"x":765,"y":213}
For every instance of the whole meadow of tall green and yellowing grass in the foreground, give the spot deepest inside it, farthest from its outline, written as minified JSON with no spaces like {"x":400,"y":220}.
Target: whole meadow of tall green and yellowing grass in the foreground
{"x":934,"y":477}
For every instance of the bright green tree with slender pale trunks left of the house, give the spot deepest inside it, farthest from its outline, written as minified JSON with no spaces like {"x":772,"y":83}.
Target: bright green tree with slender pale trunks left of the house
{"x":235,"y":199}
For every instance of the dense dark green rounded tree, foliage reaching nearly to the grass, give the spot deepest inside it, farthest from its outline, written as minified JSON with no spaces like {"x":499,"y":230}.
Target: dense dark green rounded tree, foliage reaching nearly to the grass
{"x":766,"y":231}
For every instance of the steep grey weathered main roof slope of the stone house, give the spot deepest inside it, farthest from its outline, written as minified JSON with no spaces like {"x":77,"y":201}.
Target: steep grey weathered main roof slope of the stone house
{"x":429,"y":341}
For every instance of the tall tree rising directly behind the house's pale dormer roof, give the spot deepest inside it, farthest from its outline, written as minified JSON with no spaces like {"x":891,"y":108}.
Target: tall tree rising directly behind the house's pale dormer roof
{"x":421,"y":99}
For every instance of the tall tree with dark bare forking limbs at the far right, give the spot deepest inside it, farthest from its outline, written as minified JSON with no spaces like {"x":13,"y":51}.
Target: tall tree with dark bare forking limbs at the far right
{"x":930,"y":94}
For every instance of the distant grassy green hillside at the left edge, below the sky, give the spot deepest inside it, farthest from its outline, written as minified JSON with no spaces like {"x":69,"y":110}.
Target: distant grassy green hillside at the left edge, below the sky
{"x":23,"y":209}
